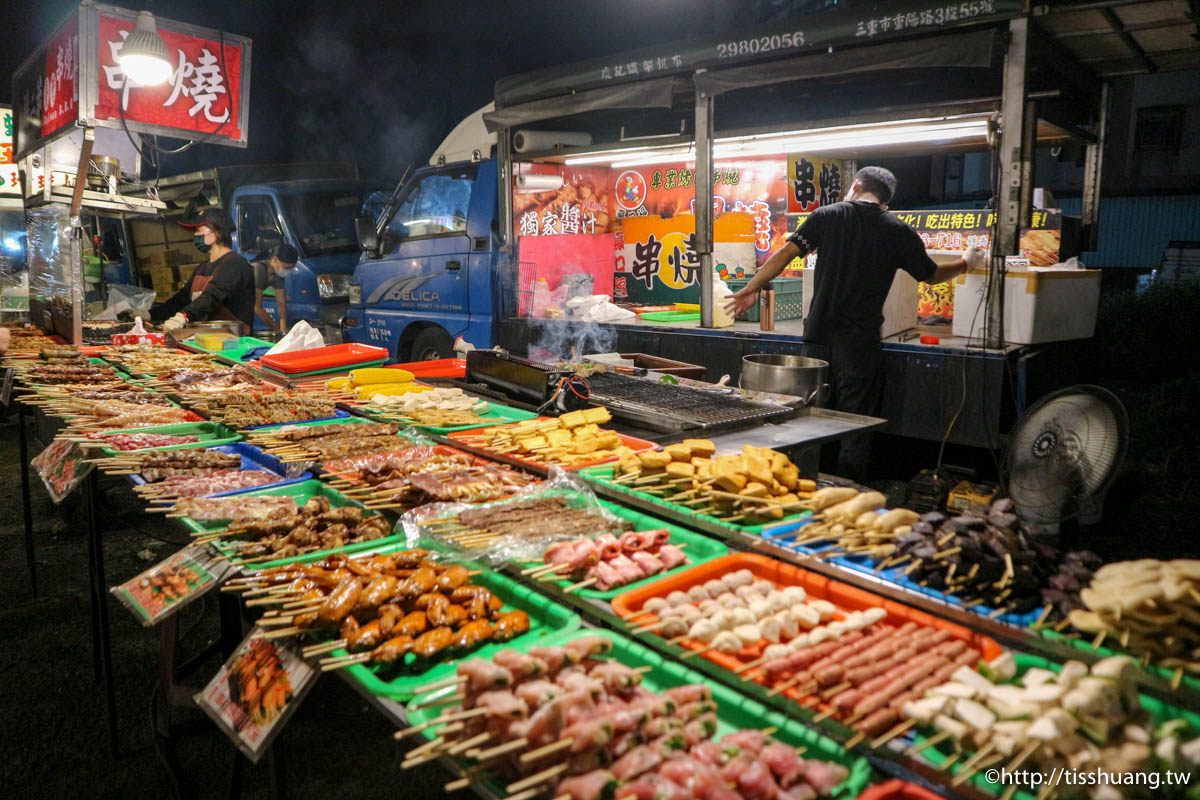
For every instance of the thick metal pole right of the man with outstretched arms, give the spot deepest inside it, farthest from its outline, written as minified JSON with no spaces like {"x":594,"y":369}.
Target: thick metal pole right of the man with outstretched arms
{"x":1009,"y":203}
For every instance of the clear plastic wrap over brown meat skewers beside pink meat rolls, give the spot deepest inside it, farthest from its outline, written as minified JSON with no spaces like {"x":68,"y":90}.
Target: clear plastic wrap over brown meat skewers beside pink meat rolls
{"x":519,"y":528}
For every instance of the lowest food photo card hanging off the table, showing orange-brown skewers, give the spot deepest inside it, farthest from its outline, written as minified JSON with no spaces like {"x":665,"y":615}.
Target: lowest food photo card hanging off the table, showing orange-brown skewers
{"x":257,"y":691}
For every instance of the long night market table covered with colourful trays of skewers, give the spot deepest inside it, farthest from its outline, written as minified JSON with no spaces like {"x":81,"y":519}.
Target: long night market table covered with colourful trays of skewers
{"x":557,"y":603}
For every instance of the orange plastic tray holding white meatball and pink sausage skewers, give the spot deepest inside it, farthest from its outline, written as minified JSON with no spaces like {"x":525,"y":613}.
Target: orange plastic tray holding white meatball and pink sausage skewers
{"x":847,"y":598}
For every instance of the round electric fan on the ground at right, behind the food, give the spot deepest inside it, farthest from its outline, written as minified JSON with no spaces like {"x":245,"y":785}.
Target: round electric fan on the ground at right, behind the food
{"x":1064,"y":454}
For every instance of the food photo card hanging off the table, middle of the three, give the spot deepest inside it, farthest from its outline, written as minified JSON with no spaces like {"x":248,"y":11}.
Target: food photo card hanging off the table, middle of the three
{"x":171,"y":585}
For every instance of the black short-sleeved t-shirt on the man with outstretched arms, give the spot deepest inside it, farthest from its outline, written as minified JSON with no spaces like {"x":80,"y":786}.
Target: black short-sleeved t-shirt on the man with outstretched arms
{"x":860,"y":248}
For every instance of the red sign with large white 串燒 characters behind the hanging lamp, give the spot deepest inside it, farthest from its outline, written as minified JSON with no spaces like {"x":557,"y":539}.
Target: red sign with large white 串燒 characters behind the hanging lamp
{"x":201,"y":97}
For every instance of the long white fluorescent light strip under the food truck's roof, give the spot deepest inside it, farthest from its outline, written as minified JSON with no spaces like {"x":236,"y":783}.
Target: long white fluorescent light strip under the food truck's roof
{"x":831,"y":139}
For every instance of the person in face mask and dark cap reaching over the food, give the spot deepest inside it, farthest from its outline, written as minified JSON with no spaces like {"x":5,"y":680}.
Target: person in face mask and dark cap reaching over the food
{"x":221,"y":288}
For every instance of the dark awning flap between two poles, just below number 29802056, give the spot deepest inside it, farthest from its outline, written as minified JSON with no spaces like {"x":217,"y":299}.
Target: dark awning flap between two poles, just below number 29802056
{"x":956,"y":51}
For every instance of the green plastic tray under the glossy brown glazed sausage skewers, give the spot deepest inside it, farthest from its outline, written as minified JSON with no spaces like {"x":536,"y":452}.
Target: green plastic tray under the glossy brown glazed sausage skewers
{"x":547,"y":618}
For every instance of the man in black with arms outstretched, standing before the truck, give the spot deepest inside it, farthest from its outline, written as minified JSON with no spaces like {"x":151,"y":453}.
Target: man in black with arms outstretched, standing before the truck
{"x":860,"y":246}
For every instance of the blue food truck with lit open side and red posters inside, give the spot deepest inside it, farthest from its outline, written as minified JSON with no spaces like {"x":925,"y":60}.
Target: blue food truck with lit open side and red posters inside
{"x":598,"y":167}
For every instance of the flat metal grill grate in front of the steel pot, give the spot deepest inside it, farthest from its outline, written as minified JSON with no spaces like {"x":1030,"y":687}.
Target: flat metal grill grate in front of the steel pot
{"x":668,"y":407}
